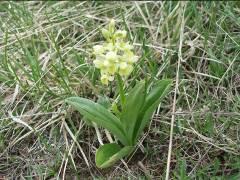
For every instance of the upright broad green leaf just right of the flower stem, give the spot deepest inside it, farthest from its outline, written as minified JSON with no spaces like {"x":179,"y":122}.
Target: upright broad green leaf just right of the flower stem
{"x":132,"y":108}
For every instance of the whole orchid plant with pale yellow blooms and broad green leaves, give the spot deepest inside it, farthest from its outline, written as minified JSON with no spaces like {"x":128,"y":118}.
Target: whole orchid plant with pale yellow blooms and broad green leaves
{"x":115,"y":58}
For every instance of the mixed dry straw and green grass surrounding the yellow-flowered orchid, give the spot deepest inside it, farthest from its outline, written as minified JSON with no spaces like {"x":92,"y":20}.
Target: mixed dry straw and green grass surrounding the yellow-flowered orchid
{"x":45,"y":56}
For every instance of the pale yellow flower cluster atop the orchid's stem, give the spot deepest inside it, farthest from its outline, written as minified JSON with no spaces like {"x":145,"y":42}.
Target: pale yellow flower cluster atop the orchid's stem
{"x":115,"y":56}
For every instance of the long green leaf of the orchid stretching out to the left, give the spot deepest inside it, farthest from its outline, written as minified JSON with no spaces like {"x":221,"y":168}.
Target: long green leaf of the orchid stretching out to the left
{"x":100,"y":115}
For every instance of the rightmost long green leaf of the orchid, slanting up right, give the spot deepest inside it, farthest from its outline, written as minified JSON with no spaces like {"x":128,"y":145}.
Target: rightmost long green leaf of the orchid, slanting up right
{"x":153,"y":99}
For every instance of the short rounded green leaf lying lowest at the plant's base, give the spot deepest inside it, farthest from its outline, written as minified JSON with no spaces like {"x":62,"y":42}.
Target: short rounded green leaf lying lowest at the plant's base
{"x":109,"y":154}
